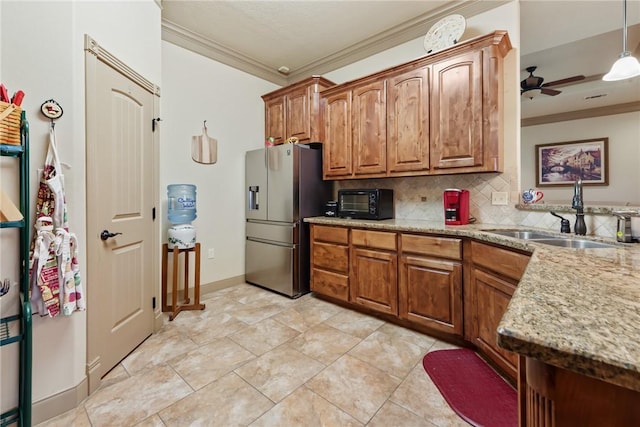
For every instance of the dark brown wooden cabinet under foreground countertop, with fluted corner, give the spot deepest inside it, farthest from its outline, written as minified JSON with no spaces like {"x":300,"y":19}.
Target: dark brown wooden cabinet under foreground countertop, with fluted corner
{"x":557,"y":397}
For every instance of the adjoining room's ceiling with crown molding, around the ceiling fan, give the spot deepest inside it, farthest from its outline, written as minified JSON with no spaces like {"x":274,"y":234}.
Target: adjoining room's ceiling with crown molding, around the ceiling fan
{"x":586,"y":40}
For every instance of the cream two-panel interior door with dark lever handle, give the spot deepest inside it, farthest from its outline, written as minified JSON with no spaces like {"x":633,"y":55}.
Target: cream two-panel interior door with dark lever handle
{"x":120,"y":189}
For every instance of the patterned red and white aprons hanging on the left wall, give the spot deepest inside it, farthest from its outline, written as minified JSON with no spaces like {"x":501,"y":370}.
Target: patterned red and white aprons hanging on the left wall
{"x":54,"y":251}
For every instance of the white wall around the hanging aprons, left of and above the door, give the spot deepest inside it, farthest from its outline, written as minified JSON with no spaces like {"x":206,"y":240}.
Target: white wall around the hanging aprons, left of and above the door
{"x":42,"y":53}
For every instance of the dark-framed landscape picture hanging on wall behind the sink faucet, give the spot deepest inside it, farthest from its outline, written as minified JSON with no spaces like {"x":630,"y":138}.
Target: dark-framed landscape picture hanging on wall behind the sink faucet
{"x":561,"y":163}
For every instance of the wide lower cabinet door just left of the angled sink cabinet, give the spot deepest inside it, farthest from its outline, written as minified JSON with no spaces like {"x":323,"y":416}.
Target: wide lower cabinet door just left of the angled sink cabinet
{"x":430,"y":293}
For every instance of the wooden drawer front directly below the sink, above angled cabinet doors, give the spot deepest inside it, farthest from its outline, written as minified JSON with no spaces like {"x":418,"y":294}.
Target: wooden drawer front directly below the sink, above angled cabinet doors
{"x":503,"y":261}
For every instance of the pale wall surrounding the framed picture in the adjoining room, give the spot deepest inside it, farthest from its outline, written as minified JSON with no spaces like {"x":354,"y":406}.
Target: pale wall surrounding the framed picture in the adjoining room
{"x":623,"y":131}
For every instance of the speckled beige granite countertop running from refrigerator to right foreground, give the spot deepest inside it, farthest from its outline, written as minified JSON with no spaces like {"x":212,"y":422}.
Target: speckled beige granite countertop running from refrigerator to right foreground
{"x":577,"y":309}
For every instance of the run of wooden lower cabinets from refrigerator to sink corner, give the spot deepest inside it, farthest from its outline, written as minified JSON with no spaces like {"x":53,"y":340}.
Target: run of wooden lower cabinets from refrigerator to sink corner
{"x":420,"y":279}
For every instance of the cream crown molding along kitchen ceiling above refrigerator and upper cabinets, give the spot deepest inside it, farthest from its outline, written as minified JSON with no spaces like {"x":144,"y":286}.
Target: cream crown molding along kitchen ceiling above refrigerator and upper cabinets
{"x":395,"y":36}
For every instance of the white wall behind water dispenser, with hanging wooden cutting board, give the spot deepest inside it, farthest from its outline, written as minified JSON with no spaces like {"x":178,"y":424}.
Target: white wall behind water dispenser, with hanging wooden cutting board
{"x":195,"y":89}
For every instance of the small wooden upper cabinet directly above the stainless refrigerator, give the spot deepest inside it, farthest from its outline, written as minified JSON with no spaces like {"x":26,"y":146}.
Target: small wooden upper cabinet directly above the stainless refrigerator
{"x":293,"y":111}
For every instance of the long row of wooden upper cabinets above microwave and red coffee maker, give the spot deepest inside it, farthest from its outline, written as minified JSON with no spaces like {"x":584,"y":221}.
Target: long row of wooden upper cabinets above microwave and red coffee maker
{"x":440,"y":114}
